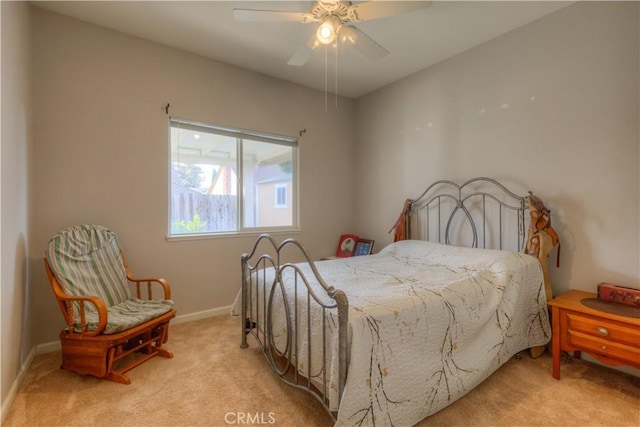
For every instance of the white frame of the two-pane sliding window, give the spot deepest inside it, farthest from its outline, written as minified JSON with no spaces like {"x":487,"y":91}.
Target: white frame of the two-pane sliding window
{"x":240,"y":135}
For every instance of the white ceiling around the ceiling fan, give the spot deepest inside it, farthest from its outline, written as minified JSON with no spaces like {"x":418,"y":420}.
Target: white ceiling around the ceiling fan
{"x":415,"y":40}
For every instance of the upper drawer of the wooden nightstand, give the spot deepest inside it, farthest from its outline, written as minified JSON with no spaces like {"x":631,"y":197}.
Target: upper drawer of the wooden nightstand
{"x":601,"y":328}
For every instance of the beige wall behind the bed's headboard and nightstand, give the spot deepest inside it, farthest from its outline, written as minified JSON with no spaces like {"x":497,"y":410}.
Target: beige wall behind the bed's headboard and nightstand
{"x":551,"y":107}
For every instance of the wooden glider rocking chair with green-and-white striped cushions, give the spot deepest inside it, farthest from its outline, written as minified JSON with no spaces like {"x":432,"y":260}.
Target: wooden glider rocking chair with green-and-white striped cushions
{"x":106,"y":322}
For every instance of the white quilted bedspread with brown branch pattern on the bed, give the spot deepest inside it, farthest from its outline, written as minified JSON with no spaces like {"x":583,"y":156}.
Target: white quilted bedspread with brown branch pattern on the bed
{"x":428,"y":323}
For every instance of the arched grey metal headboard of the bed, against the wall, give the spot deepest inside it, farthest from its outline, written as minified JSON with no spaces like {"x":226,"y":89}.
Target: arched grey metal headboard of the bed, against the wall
{"x":481,"y":208}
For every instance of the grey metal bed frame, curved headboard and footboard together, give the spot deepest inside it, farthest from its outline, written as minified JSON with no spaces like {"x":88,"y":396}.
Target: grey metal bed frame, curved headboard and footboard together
{"x":441,"y":208}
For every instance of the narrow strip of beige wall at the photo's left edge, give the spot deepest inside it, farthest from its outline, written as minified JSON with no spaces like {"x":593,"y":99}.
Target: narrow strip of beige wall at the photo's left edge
{"x":15,"y":146}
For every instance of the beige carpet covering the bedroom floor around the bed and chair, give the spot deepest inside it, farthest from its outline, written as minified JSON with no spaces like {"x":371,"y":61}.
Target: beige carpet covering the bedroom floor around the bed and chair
{"x":212,"y":382}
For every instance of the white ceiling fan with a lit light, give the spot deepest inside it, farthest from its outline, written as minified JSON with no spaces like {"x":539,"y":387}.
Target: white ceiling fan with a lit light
{"x":333,"y":18}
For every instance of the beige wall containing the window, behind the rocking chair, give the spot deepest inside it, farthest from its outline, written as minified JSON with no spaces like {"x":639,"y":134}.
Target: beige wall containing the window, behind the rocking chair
{"x":102,"y":153}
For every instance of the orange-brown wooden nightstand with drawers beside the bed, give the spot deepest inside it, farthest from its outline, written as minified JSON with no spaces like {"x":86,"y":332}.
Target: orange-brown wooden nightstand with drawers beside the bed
{"x":603,"y":332}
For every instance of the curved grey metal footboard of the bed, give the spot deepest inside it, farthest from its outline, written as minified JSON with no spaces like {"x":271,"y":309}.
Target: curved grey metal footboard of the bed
{"x":291,"y":311}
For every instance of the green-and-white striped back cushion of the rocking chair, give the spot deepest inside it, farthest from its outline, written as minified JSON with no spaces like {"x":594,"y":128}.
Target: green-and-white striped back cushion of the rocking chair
{"x":86,"y":261}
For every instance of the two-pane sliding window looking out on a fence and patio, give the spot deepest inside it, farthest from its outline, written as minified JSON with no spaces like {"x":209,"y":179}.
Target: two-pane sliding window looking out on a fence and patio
{"x":226,"y":180}
